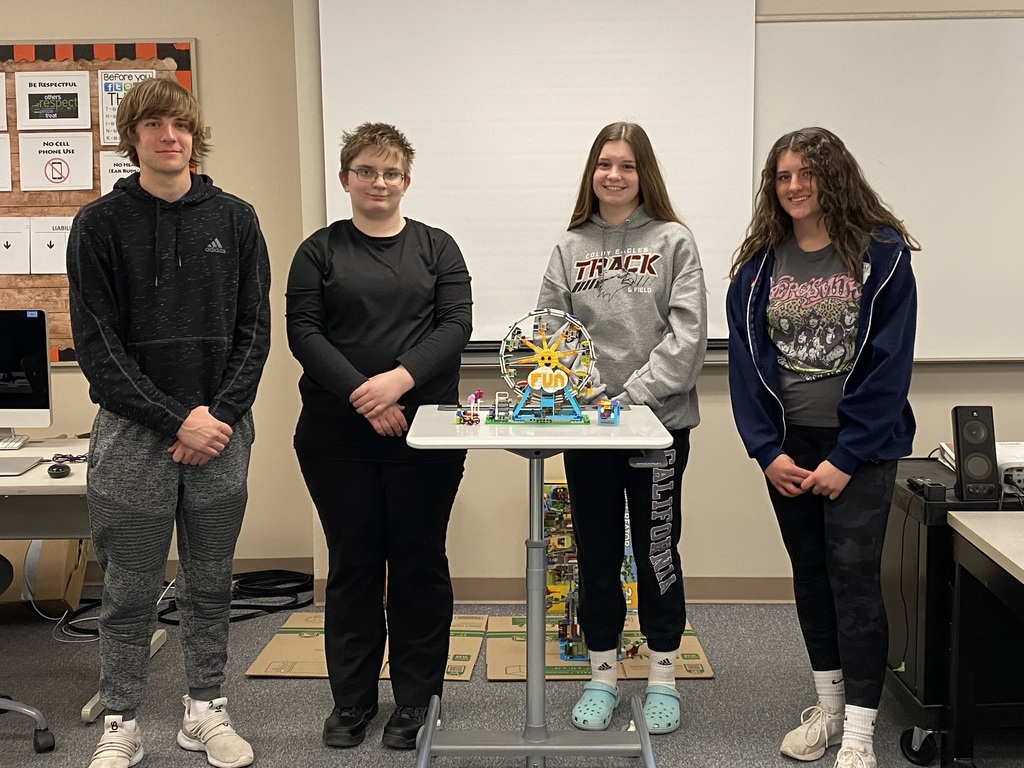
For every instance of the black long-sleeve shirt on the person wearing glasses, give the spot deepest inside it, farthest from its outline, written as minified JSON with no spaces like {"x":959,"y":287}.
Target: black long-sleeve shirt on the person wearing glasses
{"x":359,"y":307}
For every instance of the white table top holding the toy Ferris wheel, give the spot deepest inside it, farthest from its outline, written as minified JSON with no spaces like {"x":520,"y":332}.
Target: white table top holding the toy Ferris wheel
{"x":638,"y":429}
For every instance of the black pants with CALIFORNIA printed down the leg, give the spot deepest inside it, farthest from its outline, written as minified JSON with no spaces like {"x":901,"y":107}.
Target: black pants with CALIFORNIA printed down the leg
{"x":598,"y":481}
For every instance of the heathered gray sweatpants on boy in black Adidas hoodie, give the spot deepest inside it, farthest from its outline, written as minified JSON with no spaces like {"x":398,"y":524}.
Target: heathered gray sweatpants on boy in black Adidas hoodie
{"x":138,"y":496}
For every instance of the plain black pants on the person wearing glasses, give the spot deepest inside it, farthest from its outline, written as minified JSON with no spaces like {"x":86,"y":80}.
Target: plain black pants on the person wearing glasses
{"x":386,"y":524}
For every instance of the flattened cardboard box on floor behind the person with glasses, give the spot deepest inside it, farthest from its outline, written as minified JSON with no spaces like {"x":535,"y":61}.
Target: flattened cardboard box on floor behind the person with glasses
{"x":297,"y":649}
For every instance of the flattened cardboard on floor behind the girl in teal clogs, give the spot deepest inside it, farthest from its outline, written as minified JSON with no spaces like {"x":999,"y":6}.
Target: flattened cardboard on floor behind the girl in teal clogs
{"x":507,"y":653}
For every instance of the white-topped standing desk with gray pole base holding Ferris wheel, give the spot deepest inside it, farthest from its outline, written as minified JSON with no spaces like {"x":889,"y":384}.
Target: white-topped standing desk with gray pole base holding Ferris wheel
{"x":436,"y":428}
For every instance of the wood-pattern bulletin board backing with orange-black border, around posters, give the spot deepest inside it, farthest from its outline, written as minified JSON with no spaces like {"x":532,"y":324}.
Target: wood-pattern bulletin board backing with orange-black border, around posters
{"x":172,"y":60}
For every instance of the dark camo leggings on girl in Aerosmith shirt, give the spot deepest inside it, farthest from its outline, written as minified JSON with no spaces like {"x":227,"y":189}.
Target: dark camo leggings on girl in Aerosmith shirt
{"x":836,"y":551}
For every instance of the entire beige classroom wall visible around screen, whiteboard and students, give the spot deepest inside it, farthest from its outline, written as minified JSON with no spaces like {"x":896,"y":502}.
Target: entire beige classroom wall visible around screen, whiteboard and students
{"x":259,"y":80}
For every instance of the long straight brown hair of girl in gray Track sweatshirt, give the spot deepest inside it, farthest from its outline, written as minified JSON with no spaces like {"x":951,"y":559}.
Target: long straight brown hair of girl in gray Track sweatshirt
{"x":654,"y":196}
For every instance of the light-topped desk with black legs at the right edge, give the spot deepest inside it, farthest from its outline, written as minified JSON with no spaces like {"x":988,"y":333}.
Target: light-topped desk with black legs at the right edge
{"x":989,"y":551}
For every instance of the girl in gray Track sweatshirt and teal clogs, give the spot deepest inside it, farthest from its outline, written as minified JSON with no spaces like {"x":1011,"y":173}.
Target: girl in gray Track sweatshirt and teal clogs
{"x":629,"y":270}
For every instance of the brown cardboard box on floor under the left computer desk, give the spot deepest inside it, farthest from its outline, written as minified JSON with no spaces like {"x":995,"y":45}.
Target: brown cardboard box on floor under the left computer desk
{"x":56,"y":568}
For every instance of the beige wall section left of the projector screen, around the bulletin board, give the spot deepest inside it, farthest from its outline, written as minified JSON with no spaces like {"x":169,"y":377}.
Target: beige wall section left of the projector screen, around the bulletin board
{"x":246,"y":80}
